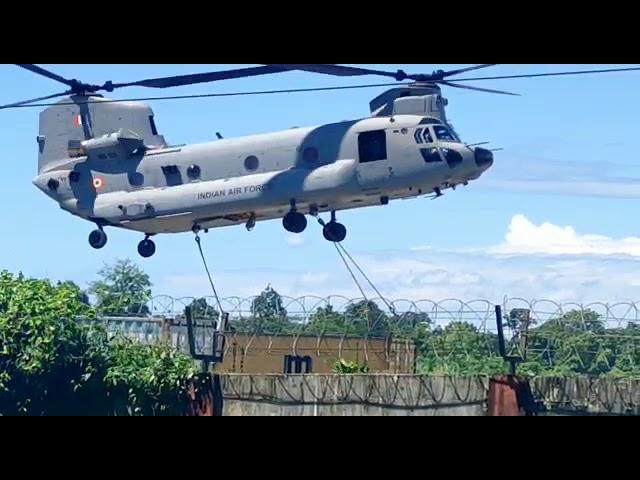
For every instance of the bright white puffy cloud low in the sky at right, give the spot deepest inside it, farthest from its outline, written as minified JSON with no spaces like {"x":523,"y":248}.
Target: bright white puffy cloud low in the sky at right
{"x":525,"y":237}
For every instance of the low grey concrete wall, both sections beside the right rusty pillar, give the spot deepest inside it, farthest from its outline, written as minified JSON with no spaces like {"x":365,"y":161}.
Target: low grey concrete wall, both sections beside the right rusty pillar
{"x":412,"y":395}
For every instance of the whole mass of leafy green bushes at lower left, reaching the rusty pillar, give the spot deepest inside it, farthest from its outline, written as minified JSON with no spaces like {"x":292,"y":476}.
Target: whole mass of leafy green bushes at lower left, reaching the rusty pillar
{"x":52,"y":365}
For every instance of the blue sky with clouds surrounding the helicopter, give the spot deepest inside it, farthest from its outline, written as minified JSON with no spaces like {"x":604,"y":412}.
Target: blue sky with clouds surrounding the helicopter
{"x":555,"y":217}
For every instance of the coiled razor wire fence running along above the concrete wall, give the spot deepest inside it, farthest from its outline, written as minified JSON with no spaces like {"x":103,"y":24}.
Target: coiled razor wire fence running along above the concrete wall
{"x":447,"y":336}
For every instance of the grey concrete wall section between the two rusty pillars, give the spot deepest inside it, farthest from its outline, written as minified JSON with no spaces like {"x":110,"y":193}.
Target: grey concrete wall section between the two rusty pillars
{"x":353,"y":395}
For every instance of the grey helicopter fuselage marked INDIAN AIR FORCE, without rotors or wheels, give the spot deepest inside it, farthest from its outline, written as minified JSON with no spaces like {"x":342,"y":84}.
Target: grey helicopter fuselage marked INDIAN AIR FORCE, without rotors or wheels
{"x":334,"y":167}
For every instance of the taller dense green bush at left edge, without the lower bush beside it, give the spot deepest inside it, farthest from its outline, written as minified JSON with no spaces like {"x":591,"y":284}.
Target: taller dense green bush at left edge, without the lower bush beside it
{"x":43,"y":351}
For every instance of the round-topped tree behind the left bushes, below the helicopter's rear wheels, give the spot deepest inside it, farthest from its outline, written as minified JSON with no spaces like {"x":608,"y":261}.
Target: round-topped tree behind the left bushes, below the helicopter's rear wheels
{"x":124,"y":289}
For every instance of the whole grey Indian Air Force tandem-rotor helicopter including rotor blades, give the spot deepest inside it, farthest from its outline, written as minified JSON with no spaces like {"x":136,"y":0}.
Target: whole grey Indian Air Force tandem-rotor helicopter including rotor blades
{"x":104,"y":160}
